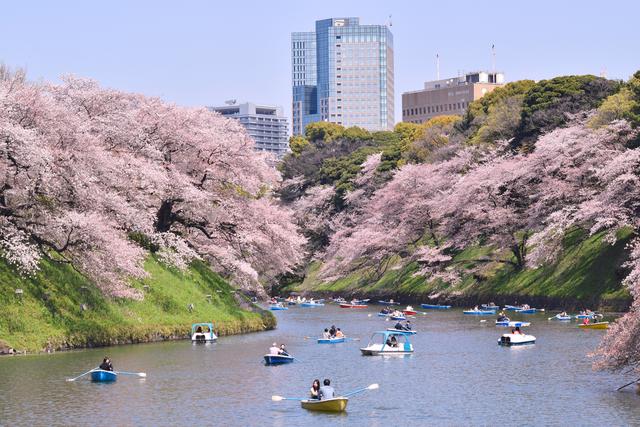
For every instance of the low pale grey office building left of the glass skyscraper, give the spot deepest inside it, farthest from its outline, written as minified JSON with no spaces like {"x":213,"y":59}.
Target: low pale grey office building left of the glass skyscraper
{"x":266,"y":124}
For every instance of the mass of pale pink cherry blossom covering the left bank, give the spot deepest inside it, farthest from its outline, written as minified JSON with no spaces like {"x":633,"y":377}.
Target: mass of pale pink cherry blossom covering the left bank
{"x":83,"y":167}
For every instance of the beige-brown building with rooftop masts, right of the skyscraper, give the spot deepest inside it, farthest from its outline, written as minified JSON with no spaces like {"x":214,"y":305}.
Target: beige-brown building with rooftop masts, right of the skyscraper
{"x":448,"y":96}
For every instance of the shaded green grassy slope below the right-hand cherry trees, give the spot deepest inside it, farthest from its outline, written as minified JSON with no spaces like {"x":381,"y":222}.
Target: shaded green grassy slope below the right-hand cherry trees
{"x":587,"y":273}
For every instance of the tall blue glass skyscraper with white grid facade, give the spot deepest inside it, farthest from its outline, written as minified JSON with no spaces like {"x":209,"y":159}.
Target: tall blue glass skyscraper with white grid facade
{"x":343,"y":73}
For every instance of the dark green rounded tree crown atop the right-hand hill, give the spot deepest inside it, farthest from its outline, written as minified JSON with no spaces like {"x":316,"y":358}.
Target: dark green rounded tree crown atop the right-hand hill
{"x":546,"y":104}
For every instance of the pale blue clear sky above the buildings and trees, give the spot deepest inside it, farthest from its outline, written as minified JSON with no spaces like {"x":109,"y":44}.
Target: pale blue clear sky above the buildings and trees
{"x":203,"y":52}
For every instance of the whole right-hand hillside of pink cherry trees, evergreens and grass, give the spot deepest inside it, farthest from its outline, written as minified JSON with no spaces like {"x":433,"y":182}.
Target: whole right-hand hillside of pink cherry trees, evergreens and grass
{"x":536,"y":178}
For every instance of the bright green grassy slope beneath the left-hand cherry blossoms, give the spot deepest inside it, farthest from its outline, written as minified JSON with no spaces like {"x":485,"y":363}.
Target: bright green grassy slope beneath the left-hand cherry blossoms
{"x":60,"y":308}
